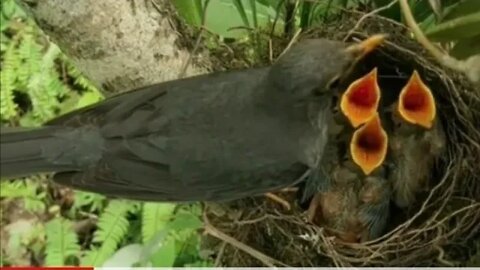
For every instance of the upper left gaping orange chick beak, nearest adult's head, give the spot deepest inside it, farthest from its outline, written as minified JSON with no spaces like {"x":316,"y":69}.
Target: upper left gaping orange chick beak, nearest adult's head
{"x":360,"y":101}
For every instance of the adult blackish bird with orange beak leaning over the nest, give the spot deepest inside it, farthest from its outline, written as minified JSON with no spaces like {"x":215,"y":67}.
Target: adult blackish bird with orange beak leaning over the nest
{"x":212,"y":137}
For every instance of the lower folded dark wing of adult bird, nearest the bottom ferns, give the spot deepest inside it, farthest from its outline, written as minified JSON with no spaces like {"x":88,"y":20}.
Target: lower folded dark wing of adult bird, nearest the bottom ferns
{"x":155,"y":184}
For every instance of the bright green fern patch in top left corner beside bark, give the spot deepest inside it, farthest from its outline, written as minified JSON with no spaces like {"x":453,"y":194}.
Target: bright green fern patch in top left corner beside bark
{"x":37,"y":81}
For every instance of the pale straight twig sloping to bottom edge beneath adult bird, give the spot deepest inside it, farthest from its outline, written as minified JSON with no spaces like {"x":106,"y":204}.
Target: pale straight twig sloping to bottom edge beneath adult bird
{"x":265,"y":259}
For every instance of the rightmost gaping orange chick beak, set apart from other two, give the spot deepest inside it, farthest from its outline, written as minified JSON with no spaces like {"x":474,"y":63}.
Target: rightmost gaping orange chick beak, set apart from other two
{"x":416,"y":104}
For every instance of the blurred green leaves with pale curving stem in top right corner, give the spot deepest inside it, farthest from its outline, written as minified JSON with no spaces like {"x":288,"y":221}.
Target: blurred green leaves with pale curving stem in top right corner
{"x":456,"y":34}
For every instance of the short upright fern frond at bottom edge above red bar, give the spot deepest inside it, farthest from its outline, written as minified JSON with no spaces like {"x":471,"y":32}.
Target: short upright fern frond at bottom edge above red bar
{"x":62,"y":242}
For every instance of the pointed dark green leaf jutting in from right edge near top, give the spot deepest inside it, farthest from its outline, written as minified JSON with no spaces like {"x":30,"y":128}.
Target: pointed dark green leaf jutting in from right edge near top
{"x":455,"y":29}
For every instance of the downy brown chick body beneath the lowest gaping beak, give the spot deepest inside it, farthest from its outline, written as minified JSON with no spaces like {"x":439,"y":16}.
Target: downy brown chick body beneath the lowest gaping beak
{"x":355,"y":208}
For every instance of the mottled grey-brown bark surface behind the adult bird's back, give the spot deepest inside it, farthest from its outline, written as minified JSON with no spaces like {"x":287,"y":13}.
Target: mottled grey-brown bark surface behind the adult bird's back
{"x":119,"y":44}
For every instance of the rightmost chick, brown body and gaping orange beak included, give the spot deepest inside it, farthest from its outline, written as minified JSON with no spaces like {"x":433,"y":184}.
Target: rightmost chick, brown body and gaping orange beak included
{"x":417,"y":140}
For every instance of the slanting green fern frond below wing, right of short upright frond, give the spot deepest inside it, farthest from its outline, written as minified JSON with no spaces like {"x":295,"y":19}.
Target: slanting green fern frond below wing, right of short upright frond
{"x":112,"y":229}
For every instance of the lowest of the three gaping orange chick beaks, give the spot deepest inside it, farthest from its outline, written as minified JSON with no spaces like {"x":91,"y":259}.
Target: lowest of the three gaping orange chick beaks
{"x":368,"y":146}
